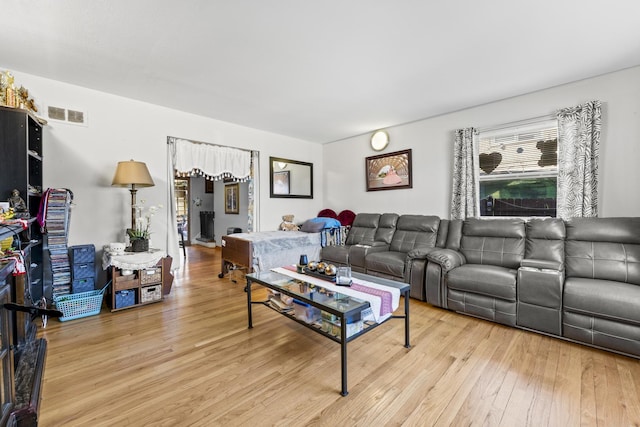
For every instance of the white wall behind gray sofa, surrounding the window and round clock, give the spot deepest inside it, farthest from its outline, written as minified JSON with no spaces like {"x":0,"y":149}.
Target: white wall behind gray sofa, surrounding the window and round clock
{"x":431,"y":141}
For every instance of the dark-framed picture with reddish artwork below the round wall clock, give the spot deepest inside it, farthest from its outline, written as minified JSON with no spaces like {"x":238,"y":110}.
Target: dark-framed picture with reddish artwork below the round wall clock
{"x":389,"y":171}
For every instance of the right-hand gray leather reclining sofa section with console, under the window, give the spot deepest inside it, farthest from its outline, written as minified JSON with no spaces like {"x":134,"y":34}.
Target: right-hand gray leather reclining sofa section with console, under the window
{"x":577,"y":279}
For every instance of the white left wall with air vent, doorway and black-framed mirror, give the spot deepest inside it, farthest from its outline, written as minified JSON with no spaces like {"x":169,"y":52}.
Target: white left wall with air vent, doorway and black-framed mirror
{"x":84,"y":159}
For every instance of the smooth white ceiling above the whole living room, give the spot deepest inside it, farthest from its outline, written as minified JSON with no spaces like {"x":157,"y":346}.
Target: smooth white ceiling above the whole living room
{"x":319,"y":70}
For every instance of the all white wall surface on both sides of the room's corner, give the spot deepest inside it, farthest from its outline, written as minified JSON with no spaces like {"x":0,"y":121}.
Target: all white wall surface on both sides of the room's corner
{"x":83,"y":159}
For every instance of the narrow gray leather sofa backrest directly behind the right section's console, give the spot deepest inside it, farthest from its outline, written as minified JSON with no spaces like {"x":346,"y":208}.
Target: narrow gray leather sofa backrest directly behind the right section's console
{"x":545,"y":239}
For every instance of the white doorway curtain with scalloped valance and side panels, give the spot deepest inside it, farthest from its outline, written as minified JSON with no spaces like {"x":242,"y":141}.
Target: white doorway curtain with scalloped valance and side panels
{"x":208,"y":160}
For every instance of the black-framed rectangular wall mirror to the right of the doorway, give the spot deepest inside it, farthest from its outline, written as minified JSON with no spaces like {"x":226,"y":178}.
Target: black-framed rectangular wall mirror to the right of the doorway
{"x":290,"y":178}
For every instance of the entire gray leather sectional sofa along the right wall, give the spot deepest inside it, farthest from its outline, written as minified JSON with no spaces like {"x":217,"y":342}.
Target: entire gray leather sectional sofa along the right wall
{"x":577,"y":279}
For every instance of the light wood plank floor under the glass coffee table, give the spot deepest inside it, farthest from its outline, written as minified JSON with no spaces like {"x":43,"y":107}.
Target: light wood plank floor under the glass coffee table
{"x":191,"y":360}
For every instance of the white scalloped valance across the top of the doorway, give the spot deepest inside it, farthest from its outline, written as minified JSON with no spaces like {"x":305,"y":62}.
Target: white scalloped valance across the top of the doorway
{"x":211,"y":161}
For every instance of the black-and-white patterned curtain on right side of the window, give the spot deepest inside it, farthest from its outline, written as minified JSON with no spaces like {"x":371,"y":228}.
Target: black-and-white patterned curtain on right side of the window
{"x":578,"y":145}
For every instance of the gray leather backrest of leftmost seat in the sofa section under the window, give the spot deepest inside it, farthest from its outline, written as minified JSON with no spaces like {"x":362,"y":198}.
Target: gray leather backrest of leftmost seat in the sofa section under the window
{"x":493,"y":241}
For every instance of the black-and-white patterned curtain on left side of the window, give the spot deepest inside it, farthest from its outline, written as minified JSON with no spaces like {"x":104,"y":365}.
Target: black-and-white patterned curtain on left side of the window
{"x":464,"y":195}
